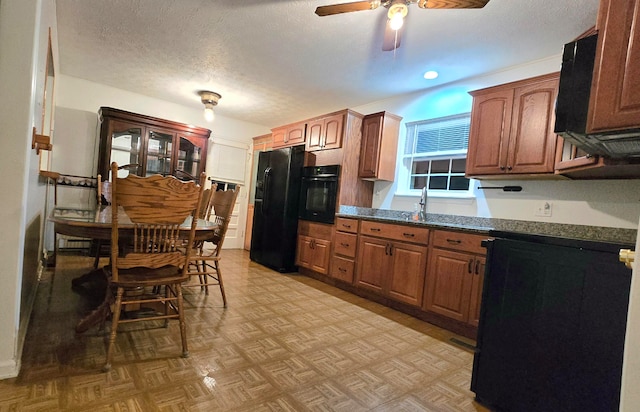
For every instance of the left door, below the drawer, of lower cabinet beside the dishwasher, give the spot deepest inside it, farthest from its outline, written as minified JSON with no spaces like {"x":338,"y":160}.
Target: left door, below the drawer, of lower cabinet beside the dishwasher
{"x":449,"y":284}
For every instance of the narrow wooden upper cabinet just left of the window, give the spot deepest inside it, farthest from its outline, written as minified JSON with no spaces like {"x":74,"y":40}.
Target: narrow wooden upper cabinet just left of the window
{"x":379,"y":147}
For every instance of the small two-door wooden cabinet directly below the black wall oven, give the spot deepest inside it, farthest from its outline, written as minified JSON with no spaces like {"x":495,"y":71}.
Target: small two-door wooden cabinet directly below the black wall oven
{"x":314,"y":246}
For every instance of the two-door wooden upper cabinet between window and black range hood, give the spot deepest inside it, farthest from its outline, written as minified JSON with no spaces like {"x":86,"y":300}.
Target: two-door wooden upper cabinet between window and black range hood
{"x":512,"y":128}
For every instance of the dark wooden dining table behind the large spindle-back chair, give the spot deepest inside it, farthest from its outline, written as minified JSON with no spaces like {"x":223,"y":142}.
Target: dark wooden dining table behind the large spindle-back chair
{"x":95,"y":223}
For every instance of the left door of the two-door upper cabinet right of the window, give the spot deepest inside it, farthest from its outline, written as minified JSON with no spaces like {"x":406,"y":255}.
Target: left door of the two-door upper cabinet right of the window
{"x":489,"y":133}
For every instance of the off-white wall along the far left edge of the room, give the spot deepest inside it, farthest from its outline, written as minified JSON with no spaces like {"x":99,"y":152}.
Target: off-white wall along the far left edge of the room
{"x":23,"y":46}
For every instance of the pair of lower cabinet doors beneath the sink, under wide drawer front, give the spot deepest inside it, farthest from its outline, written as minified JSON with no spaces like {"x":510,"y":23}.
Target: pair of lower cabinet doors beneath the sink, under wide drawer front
{"x":391,"y":268}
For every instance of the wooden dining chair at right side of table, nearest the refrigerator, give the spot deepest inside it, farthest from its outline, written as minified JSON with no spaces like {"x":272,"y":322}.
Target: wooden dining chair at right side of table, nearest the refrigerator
{"x":206,"y":262}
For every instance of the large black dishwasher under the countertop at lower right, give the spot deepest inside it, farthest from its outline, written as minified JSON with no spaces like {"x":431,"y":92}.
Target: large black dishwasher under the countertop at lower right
{"x":552,"y":325}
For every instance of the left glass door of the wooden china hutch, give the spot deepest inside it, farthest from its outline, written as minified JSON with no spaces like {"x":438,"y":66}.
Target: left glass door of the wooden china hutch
{"x":125,"y":147}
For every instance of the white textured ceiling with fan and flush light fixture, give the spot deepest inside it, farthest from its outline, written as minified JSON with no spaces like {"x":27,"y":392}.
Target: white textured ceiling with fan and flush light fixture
{"x":275,"y":61}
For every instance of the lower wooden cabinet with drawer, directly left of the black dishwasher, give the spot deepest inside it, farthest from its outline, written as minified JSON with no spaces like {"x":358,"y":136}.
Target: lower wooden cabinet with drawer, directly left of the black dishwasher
{"x":455,"y":276}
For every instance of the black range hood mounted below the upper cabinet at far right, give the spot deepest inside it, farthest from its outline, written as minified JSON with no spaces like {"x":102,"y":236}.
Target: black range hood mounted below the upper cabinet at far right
{"x":572,"y":105}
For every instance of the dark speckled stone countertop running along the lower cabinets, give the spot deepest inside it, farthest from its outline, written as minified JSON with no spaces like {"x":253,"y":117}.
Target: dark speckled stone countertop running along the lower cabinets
{"x":485,"y":225}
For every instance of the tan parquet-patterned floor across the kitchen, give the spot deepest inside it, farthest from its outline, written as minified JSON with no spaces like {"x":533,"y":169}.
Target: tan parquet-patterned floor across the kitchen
{"x":284,"y":343}
